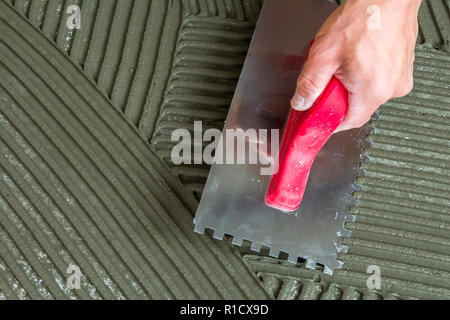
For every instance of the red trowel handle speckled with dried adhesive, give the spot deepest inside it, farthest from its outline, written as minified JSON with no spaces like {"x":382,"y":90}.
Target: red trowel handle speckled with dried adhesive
{"x":305,"y":134}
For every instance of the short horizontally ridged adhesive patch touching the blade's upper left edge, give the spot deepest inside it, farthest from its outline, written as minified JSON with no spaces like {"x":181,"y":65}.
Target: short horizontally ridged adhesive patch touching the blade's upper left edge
{"x":205,"y":71}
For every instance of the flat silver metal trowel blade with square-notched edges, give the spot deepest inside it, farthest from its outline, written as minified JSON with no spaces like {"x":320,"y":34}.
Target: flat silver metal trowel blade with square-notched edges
{"x":233,"y":199}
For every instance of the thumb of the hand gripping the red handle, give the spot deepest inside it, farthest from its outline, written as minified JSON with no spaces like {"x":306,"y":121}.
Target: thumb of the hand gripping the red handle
{"x":315,"y":76}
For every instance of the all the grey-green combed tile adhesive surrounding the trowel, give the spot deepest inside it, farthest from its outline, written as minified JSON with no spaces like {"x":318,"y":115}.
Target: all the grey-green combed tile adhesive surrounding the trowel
{"x":86,"y":178}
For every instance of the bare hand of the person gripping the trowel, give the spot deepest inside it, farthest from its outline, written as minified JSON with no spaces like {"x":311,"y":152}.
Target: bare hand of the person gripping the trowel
{"x":369,"y":46}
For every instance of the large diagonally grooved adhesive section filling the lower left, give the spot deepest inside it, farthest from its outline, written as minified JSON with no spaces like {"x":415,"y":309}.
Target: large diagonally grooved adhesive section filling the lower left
{"x":79,"y":185}
